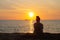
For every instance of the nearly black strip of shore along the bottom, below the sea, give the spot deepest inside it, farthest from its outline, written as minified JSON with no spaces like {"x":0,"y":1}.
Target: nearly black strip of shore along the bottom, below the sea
{"x":28,"y":36}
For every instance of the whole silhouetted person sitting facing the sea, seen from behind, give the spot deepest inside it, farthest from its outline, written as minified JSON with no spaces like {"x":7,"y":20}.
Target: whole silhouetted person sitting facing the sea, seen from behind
{"x":38,"y":27}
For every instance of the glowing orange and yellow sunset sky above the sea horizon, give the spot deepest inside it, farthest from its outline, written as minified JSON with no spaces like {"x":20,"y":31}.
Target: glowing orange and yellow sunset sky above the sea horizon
{"x":18,"y":9}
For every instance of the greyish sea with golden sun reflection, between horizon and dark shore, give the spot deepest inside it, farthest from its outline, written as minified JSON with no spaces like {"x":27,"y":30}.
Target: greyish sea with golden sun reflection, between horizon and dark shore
{"x":20,"y":26}
